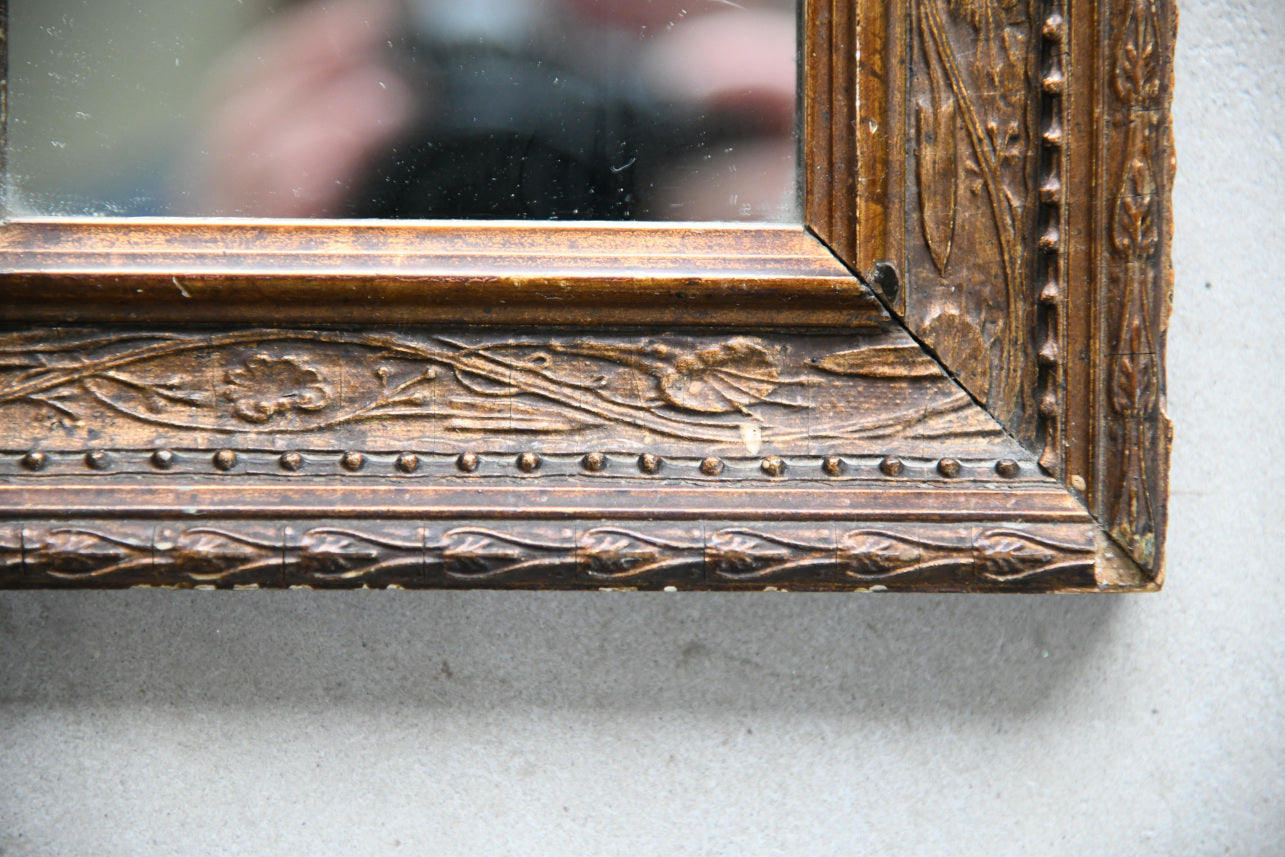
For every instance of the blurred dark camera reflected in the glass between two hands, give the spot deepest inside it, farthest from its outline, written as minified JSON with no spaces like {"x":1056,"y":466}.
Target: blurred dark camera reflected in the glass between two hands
{"x":515,"y":128}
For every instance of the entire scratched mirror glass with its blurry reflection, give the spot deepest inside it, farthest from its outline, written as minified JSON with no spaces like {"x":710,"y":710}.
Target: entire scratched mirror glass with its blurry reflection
{"x":549,"y":110}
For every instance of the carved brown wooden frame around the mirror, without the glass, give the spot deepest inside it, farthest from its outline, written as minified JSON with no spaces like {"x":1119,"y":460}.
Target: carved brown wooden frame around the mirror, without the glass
{"x":949,"y":378}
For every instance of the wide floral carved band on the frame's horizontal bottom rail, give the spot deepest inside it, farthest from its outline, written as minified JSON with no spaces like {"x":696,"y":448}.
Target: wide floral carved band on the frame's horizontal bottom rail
{"x":734,"y":391}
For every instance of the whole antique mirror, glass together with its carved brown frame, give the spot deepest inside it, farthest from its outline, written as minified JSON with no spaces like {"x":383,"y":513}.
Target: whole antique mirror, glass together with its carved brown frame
{"x":856,"y":295}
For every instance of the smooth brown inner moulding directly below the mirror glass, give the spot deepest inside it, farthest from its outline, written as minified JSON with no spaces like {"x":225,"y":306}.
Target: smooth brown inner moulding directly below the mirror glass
{"x":345,"y":273}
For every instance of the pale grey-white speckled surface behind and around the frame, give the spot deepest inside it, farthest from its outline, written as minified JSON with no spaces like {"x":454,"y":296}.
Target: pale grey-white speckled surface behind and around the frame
{"x":599,"y":724}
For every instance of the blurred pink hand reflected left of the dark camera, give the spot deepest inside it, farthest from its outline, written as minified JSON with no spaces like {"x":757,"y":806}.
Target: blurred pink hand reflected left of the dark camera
{"x":299,"y":111}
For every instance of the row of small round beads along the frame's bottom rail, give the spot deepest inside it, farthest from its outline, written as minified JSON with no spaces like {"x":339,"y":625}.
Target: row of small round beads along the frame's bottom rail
{"x":772,"y":466}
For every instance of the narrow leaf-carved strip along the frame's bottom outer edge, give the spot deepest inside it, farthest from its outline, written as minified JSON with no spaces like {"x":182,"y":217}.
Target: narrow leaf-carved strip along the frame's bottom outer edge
{"x":384,"y":553}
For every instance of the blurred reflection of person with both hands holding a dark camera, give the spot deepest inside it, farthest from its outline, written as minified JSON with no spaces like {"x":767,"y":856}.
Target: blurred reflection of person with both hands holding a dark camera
{"x":614,"y":109}
